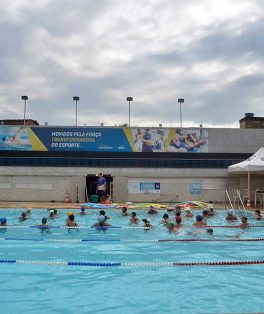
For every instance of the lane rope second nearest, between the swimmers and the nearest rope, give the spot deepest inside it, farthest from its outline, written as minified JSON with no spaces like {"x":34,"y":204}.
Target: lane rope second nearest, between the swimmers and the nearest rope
{"x":132,"y":240}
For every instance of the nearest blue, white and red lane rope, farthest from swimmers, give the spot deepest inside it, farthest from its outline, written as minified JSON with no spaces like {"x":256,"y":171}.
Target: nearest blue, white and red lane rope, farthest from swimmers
{"x":129,"y":264}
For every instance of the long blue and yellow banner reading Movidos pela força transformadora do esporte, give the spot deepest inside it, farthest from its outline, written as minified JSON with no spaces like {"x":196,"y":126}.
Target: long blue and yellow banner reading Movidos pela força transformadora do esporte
{"x":103,"y":139}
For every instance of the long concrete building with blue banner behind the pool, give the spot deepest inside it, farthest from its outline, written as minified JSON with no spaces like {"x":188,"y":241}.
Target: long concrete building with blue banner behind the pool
{"x":39,"y":163}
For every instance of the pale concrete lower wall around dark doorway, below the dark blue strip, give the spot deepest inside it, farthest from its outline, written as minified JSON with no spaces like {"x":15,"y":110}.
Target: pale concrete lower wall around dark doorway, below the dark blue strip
{"x":46,"y":184}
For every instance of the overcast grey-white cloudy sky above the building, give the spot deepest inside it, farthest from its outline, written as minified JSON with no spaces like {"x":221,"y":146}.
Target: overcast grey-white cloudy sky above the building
{"x":208,"y":52}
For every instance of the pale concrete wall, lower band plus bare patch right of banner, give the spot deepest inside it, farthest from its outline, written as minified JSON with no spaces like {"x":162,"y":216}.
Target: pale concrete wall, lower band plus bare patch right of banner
{"x":50,"y":183}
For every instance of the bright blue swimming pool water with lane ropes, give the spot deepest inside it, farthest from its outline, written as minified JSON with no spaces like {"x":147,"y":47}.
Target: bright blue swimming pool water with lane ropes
{"x":130,"y":270}
